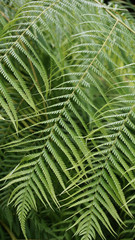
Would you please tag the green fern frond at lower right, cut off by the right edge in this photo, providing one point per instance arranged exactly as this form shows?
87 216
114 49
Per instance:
112 155
